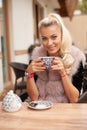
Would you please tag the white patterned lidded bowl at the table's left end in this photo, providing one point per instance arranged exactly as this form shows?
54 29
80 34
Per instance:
11 102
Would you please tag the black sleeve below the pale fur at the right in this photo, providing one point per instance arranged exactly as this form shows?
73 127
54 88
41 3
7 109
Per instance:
78 77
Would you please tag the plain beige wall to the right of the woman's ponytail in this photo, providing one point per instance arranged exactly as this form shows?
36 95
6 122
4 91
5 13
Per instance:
78 30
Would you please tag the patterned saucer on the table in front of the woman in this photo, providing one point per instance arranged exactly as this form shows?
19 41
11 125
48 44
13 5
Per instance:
40 105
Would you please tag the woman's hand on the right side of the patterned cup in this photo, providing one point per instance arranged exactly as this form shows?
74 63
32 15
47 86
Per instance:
58 65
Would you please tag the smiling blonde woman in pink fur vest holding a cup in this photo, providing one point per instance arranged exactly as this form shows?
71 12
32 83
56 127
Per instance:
59 83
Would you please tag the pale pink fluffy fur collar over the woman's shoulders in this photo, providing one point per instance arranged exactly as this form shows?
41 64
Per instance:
75 52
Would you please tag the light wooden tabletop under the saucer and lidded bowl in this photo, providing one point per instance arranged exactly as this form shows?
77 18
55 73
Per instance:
62 116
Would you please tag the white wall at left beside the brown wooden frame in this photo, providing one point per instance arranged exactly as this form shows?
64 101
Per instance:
21 30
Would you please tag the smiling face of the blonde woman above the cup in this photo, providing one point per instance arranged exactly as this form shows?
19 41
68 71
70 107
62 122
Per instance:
51 37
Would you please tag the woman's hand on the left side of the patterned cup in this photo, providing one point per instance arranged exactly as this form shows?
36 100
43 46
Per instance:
35 66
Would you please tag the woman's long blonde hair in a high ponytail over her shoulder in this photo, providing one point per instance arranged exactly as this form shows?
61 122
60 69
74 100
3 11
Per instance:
65 50
